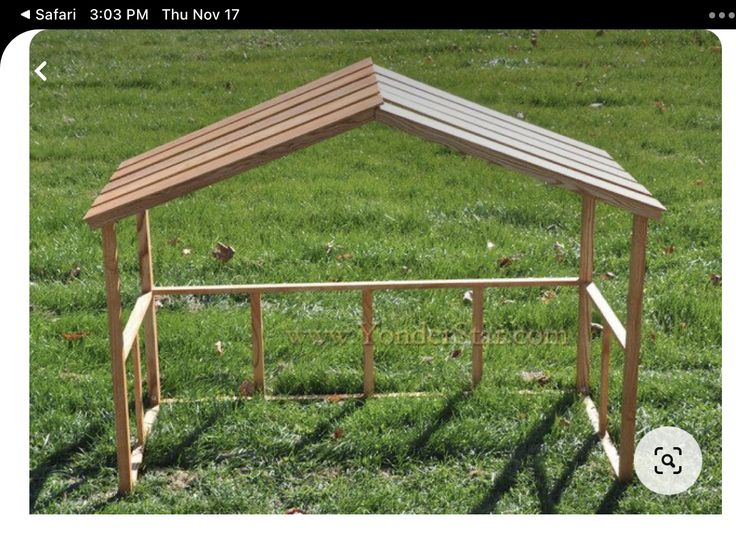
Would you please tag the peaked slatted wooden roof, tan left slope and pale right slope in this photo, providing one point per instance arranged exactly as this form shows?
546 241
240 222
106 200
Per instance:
343 100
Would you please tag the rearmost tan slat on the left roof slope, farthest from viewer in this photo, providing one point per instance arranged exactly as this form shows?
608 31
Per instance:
251 111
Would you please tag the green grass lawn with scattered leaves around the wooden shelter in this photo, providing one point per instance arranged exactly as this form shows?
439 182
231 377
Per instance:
404 208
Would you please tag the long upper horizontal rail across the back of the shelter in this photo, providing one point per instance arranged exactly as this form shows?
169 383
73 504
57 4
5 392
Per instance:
370 285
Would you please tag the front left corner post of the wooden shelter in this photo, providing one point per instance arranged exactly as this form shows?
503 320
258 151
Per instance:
115 331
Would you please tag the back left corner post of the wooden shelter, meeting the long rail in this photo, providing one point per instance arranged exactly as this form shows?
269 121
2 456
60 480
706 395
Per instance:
150 330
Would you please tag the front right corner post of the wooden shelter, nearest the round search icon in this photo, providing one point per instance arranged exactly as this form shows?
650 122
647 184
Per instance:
635 301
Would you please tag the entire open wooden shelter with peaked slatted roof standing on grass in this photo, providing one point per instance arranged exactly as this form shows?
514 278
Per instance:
338 102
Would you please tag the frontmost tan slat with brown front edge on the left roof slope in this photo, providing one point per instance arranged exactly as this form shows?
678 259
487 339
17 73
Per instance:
263 152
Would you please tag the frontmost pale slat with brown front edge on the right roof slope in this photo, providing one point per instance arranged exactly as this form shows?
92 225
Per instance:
494 152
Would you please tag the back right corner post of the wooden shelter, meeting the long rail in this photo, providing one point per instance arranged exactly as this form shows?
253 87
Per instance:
584 307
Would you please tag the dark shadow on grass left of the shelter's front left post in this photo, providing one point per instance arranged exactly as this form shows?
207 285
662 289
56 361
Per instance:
60 459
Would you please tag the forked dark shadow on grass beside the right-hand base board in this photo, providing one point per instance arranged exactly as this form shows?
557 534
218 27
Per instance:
527 450
